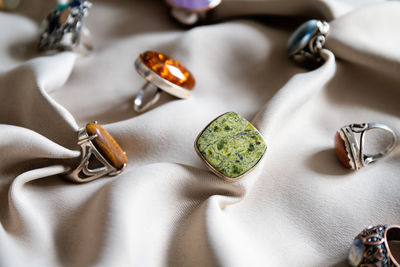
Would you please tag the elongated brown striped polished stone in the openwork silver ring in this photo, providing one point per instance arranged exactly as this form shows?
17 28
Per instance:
107 146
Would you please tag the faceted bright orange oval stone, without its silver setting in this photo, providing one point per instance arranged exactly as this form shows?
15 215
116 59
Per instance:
168 68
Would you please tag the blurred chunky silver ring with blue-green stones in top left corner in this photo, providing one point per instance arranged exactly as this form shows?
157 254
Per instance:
63 29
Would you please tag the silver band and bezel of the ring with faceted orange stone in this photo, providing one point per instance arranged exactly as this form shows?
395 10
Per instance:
153 79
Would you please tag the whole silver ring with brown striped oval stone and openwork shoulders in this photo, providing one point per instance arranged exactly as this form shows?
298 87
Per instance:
101 155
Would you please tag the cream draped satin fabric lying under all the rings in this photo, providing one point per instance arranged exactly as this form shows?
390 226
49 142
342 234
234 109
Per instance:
299 207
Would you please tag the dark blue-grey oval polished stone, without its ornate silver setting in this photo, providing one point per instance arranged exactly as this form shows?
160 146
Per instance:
299 39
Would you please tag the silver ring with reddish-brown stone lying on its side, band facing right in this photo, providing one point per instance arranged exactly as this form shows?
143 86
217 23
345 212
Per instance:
350 140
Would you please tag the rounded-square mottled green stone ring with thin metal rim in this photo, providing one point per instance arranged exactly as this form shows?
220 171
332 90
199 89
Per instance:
231 145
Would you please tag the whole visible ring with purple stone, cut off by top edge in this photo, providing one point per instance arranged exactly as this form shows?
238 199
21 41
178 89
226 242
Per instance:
190 12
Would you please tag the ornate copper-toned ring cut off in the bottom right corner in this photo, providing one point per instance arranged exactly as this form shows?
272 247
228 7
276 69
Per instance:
372 247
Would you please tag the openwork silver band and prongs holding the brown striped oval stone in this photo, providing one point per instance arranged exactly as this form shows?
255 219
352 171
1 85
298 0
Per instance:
83 173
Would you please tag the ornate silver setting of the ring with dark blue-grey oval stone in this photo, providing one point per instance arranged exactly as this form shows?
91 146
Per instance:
310 47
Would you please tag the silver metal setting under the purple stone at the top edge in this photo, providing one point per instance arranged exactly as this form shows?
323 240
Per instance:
190 17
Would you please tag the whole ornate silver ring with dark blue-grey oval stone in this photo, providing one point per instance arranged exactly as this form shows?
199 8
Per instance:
307 41
